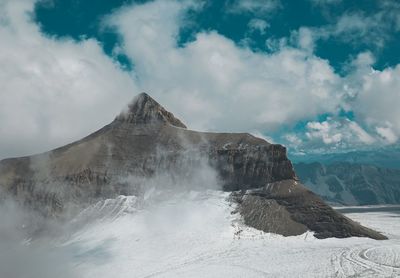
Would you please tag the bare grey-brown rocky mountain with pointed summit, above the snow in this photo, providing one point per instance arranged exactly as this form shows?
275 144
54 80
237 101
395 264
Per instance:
146 141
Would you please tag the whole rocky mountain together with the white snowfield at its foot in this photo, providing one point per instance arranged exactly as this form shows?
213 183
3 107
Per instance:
145 197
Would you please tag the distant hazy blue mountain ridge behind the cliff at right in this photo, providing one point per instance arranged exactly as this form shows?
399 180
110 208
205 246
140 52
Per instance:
351 184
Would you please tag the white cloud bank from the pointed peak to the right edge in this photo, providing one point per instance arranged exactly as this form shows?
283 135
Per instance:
225 86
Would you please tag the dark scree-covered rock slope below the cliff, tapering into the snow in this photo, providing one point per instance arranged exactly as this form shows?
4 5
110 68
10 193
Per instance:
293 210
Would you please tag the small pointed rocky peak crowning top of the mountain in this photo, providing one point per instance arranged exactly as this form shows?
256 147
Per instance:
144 110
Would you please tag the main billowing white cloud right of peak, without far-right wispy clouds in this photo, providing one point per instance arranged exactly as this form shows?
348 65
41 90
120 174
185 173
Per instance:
213 84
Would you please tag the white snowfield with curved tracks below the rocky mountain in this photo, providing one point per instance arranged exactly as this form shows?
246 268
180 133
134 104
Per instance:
198 235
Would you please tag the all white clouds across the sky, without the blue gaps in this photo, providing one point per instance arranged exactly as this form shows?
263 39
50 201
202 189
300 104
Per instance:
55 91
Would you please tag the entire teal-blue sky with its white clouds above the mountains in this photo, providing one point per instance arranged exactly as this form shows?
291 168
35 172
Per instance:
318 76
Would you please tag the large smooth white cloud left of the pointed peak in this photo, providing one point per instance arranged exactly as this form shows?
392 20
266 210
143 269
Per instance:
52 91
